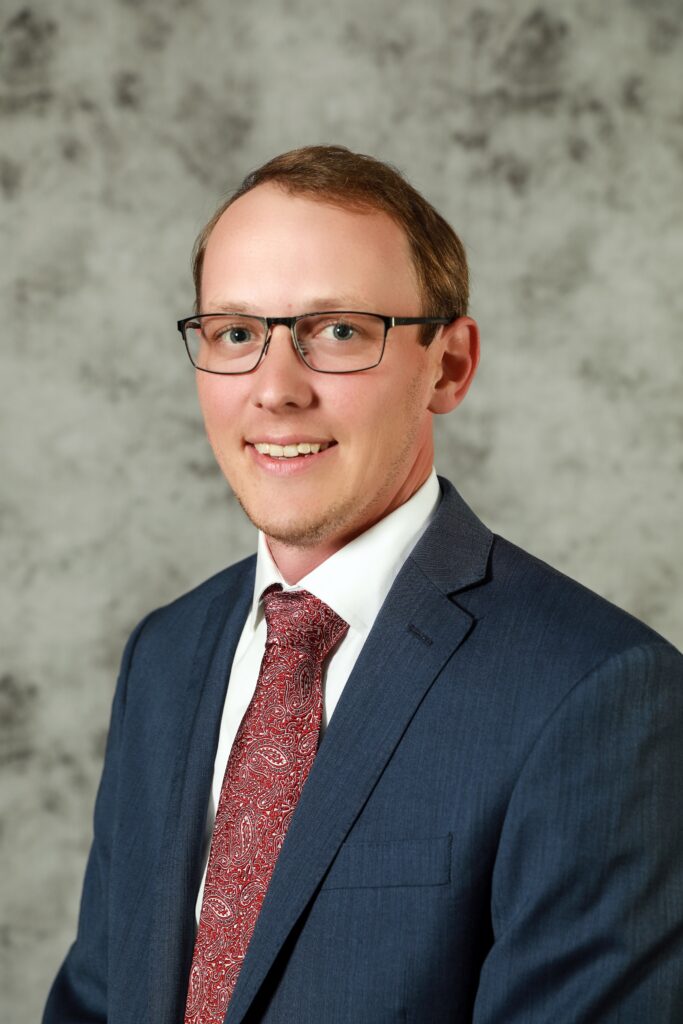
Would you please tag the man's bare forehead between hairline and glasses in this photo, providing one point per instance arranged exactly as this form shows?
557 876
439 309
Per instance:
274 248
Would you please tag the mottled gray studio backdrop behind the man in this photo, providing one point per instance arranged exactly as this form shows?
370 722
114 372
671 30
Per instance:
550 134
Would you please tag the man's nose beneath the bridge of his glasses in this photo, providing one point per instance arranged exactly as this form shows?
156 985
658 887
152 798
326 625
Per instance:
282 379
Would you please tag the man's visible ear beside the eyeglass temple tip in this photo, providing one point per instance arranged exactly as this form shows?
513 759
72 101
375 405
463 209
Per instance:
457 362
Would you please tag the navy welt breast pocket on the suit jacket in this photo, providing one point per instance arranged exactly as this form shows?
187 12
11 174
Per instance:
403 863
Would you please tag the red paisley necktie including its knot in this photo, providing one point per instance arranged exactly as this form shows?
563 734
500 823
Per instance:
271 759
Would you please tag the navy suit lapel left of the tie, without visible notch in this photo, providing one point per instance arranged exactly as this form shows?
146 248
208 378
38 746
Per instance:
173 932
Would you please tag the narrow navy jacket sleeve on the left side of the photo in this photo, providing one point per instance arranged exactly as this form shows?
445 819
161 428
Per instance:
79 994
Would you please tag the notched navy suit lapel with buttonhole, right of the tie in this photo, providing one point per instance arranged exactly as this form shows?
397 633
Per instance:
417 631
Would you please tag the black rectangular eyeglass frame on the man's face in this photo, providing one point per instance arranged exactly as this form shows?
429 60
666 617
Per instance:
291 322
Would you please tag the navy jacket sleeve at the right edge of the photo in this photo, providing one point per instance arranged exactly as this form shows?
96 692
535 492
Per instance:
588 886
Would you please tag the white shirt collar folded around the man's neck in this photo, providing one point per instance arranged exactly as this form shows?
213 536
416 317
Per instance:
375 558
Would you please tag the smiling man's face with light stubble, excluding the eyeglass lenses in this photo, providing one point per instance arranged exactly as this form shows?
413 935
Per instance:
277 255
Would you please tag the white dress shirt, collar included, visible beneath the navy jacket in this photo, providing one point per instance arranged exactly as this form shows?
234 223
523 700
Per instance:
354 583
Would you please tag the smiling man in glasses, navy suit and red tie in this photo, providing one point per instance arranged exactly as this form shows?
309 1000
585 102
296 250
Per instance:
490 830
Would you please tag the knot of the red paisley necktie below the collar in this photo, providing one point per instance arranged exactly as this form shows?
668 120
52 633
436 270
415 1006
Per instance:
300 621
